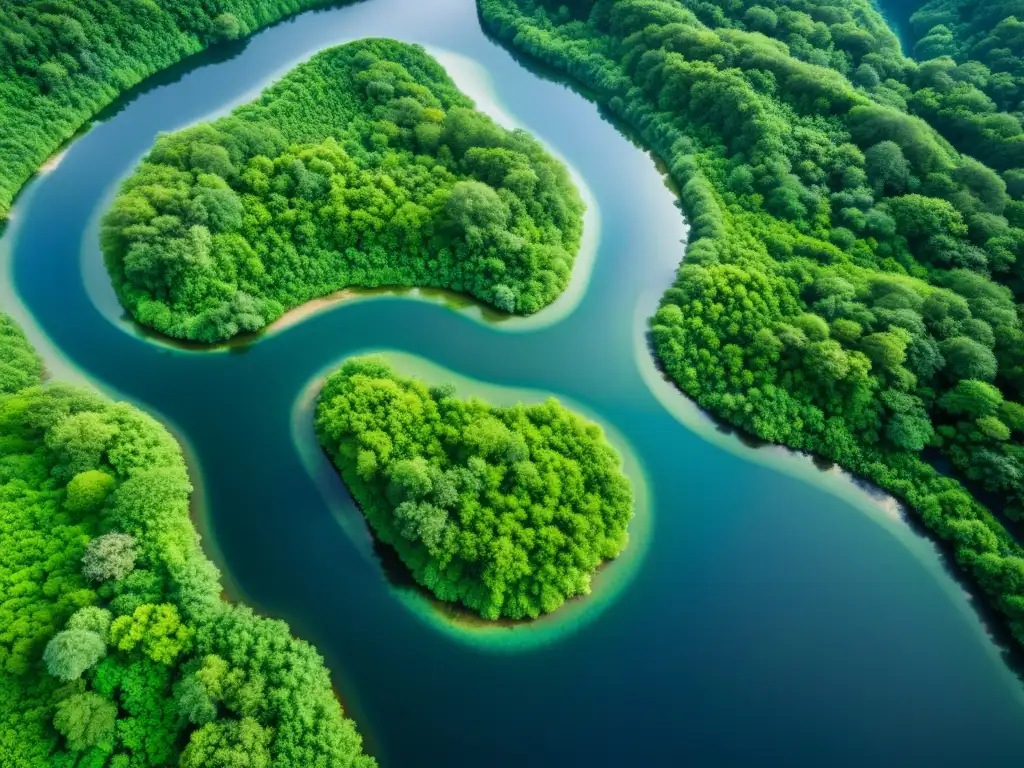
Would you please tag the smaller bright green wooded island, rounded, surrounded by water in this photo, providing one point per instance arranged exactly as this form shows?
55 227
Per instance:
507 510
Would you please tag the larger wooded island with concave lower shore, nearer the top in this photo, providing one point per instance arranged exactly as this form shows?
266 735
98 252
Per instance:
363 167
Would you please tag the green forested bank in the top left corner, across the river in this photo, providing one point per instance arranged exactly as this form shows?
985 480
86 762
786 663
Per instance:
63 61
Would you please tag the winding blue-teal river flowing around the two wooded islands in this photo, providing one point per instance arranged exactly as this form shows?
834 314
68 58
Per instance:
776 615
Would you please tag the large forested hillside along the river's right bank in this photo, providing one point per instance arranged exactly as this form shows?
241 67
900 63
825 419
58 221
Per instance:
851 281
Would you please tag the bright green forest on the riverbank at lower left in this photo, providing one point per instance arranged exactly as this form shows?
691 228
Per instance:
116 649
